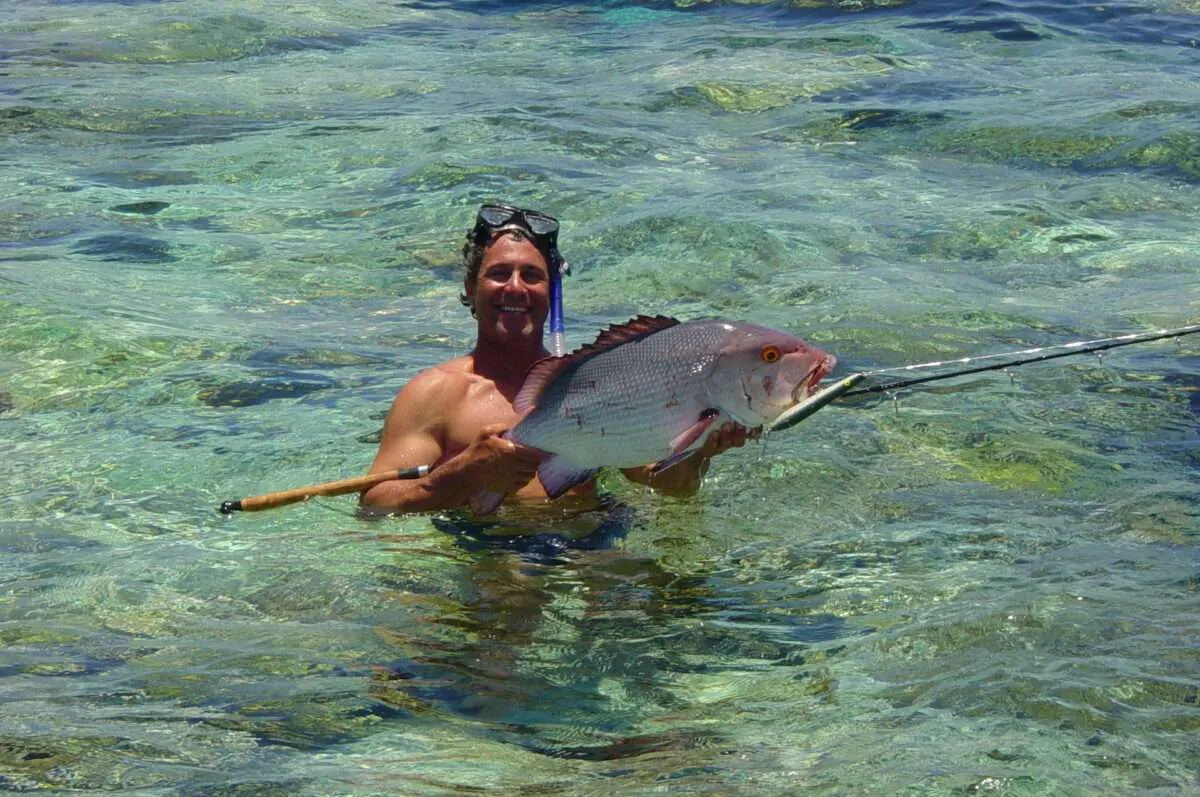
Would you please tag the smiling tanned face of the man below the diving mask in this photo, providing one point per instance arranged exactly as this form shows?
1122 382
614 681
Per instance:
512 293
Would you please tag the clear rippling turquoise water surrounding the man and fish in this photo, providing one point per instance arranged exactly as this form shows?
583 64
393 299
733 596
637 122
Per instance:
229 235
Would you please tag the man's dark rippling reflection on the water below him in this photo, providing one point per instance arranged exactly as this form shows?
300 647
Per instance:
556 640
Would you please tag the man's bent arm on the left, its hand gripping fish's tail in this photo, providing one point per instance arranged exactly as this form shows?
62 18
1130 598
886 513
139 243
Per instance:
415 434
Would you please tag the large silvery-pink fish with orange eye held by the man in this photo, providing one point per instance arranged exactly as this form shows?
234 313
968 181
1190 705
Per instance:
651 391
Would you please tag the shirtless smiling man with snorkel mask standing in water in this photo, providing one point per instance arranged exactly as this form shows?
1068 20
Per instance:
453 416
